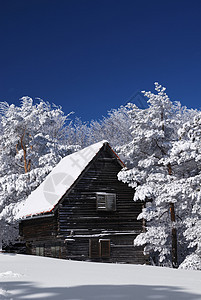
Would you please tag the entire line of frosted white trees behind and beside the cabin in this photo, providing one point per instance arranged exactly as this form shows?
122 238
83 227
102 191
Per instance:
160 145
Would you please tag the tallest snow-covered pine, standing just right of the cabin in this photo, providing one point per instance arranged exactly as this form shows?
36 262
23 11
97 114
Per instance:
154 130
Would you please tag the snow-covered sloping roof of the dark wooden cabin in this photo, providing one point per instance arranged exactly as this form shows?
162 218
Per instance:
58 181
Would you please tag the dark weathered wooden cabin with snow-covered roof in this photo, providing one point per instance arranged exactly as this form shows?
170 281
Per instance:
82 212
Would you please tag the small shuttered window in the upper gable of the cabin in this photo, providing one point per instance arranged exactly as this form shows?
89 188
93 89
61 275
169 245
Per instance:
106 201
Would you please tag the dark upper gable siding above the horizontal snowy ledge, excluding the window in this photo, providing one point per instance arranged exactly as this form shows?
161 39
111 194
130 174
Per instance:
80 203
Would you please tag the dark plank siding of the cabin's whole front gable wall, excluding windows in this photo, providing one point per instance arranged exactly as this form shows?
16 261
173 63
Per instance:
80 220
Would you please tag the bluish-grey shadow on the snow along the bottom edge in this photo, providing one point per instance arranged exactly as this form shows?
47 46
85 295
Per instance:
27 290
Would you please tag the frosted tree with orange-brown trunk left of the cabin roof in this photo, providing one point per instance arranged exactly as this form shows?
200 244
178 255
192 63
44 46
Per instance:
33 139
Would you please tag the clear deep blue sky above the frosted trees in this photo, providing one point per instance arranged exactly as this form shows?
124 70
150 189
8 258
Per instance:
92 55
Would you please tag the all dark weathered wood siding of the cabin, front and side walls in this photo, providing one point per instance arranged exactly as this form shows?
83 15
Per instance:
77 220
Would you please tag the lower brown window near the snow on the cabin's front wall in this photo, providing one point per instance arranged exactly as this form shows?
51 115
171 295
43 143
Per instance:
99 248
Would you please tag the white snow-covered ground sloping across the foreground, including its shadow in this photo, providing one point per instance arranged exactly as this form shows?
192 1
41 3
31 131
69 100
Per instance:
32 277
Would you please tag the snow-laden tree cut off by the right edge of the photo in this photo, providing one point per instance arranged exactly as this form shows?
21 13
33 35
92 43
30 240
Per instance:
185 156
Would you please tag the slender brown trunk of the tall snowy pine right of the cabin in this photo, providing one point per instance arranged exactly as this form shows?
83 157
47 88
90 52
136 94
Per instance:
174 230
